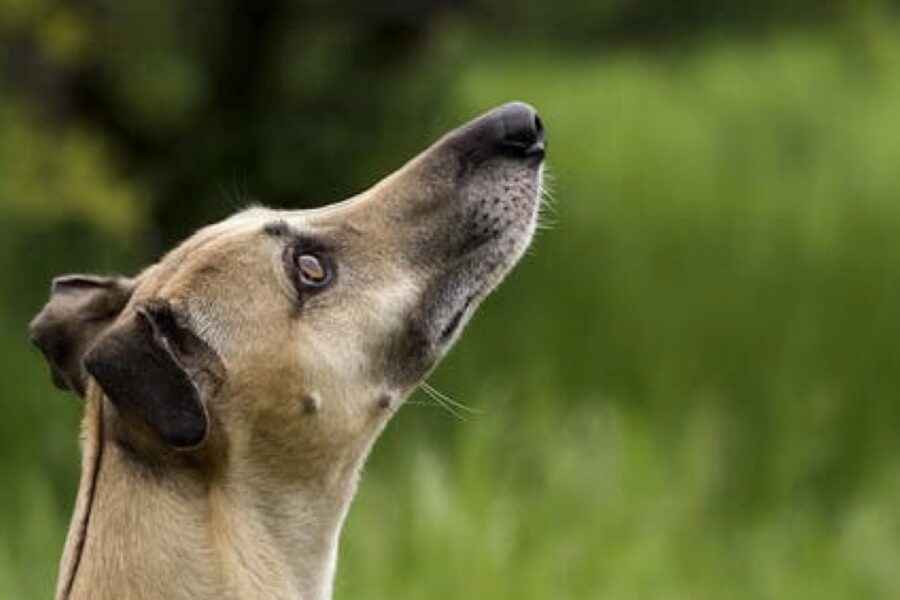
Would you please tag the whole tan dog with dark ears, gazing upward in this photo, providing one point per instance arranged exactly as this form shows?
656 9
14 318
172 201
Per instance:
233 390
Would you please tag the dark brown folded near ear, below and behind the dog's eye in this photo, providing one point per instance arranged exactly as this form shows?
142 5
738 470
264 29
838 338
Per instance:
143 368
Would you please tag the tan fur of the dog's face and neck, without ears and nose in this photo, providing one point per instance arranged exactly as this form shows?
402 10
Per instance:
255 511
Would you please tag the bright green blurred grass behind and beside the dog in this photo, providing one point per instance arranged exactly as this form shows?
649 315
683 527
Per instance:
689 389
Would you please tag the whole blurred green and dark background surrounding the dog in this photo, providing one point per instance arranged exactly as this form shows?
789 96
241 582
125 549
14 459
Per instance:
690 389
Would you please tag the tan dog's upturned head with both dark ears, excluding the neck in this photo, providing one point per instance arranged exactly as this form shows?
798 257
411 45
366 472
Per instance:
299 332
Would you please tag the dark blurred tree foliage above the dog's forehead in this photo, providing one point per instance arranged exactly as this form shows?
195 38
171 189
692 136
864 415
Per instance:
212 104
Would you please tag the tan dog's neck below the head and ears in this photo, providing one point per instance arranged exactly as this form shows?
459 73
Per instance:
240 532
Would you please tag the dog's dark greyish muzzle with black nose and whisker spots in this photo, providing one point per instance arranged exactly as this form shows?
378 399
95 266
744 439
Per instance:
485 184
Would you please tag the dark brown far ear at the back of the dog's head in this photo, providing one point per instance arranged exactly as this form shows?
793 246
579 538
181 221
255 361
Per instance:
80 308
